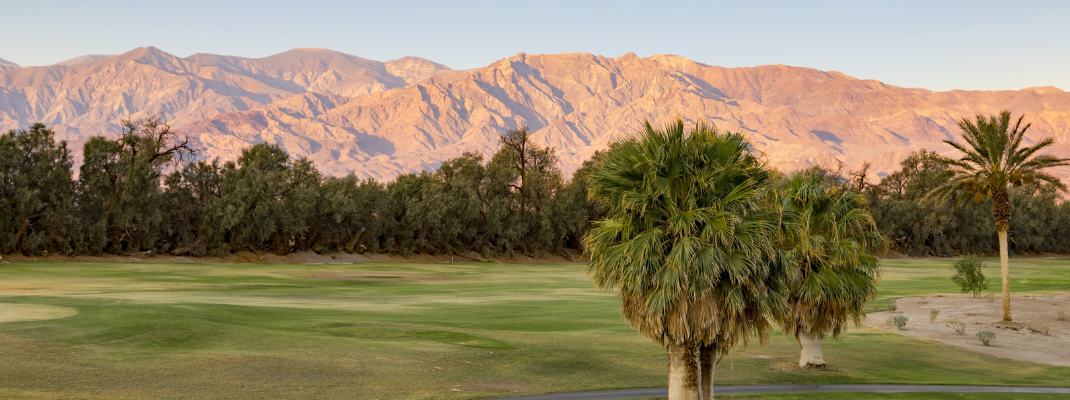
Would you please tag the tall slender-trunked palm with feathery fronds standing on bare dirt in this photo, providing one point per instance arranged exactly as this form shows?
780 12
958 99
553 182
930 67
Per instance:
995 160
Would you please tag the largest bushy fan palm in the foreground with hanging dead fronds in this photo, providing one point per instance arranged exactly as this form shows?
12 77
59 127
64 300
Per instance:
686 244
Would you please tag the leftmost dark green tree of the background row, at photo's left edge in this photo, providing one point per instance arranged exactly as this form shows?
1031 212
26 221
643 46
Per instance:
37 195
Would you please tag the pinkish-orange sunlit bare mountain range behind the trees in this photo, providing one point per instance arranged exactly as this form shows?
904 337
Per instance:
380 119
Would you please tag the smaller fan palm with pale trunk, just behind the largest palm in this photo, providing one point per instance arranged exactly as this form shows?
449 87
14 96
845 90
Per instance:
828 238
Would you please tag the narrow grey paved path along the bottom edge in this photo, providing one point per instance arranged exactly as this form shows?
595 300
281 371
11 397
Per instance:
645 393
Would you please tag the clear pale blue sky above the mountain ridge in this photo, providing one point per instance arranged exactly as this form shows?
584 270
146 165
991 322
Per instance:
928 44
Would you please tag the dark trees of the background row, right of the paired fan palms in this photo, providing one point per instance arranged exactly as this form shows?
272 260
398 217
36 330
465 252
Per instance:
915 225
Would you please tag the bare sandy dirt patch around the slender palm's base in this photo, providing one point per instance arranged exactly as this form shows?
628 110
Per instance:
1040 335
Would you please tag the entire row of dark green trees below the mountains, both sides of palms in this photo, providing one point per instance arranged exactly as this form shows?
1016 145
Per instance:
145 192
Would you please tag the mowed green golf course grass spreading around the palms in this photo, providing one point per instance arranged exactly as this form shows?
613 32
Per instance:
406 331
